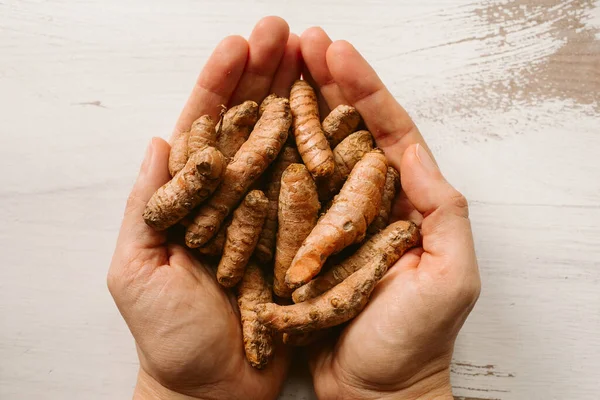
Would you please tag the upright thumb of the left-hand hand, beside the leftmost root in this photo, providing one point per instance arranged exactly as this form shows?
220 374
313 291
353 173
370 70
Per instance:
154 173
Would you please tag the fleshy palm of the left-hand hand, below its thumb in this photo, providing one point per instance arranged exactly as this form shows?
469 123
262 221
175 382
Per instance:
187 329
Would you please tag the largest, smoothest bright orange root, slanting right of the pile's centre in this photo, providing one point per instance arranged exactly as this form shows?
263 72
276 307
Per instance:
346 222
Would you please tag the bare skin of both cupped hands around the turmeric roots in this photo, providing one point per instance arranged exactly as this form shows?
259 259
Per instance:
399 347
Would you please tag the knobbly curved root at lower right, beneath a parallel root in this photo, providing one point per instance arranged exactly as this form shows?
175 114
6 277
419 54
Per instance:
338 305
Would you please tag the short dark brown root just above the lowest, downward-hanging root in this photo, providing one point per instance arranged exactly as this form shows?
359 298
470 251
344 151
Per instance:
241 237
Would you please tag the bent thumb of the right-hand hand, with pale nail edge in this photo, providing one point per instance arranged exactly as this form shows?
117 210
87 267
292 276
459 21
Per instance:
446 228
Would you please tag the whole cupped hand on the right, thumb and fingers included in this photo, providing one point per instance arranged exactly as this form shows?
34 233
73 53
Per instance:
401 345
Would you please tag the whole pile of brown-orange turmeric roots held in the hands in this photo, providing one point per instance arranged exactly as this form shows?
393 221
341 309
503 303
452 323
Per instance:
292 207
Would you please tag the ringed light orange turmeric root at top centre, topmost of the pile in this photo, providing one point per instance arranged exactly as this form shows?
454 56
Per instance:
310 139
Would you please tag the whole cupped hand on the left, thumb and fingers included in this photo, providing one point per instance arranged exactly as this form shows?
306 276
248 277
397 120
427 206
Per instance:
185 325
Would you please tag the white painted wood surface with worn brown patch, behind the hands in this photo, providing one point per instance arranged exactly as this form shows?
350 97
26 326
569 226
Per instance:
506 92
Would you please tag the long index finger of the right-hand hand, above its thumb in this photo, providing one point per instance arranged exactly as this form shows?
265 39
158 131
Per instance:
389 123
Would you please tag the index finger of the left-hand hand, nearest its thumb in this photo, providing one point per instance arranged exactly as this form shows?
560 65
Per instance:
216 83
